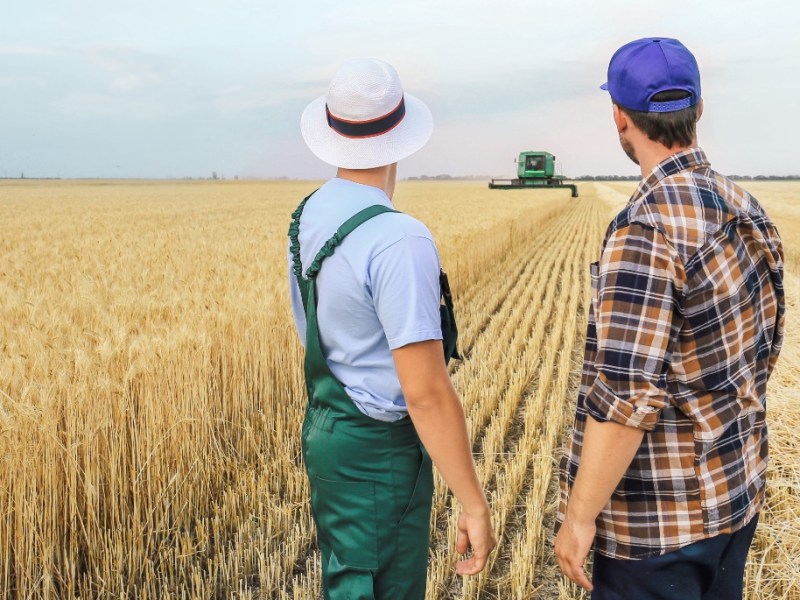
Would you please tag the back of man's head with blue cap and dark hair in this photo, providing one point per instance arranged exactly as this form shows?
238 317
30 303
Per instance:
656 81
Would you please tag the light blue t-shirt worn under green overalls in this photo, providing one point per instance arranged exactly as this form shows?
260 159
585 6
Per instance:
379 291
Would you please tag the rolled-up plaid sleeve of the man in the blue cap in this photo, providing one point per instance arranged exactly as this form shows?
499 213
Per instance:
635 322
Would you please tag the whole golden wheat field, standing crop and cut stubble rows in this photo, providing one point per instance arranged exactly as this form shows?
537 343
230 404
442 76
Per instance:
151 391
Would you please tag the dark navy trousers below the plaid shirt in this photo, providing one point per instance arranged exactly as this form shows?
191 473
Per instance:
710 569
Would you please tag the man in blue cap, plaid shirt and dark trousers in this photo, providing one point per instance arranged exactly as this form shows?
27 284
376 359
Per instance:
665 473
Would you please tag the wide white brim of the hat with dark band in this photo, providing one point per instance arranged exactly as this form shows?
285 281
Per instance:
408 136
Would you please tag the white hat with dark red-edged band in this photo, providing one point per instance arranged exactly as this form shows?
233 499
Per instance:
365 120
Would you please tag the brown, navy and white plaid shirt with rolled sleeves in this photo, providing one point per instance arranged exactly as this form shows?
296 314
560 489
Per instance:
685 326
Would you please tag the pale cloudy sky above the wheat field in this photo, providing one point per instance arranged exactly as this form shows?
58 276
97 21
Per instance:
172 88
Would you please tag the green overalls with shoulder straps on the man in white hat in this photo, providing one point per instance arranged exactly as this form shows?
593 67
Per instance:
371 481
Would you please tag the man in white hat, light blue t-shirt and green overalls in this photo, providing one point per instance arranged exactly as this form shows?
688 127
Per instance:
366 289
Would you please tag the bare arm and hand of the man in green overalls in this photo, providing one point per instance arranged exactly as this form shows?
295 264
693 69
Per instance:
438 417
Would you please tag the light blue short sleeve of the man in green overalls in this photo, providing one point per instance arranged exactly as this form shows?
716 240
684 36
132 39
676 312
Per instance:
404 283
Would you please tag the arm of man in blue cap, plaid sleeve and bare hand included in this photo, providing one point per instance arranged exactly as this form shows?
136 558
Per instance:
634 315
